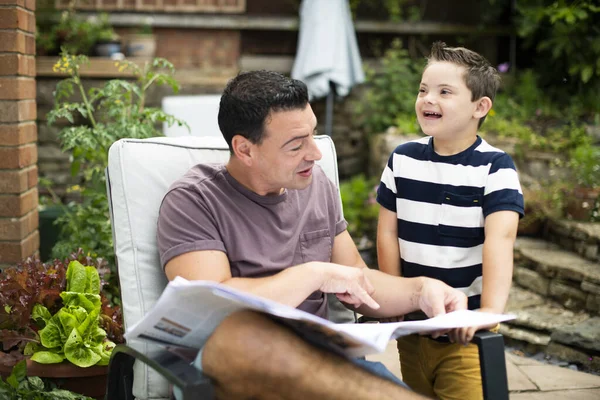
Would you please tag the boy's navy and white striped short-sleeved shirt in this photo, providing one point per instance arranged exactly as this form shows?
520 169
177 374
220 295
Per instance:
441 203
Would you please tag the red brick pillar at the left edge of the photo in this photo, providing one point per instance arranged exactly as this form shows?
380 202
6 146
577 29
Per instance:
19 236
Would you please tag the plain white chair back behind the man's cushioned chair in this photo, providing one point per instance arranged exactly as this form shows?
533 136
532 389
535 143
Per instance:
199 112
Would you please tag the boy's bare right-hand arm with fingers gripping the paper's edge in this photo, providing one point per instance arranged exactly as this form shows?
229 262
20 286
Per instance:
500 234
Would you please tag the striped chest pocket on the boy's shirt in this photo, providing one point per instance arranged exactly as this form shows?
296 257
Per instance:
461 215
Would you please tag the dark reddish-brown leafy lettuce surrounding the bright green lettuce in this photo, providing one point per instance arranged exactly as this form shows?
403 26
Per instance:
33 284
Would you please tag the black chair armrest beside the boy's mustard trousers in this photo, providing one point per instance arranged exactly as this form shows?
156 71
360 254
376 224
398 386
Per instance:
493 365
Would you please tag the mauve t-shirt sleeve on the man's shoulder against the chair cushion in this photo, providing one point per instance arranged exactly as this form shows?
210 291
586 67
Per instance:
185 224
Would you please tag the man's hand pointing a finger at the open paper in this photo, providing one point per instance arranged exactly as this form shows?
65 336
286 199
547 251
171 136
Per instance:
349 284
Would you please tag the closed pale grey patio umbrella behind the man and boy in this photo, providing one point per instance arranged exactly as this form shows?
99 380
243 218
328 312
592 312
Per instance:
327 59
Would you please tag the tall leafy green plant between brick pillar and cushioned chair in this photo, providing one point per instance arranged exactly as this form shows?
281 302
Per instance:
98 118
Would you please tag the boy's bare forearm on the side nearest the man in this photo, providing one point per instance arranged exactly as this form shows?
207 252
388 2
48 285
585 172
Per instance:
388 248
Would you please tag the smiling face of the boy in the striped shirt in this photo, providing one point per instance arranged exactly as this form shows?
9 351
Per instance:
444 107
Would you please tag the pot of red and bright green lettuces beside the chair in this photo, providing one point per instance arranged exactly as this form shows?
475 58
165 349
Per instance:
55 317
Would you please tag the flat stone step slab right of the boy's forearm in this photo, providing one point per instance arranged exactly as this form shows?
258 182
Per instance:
554 262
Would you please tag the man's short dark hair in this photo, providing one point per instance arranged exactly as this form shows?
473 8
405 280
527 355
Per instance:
249 98
